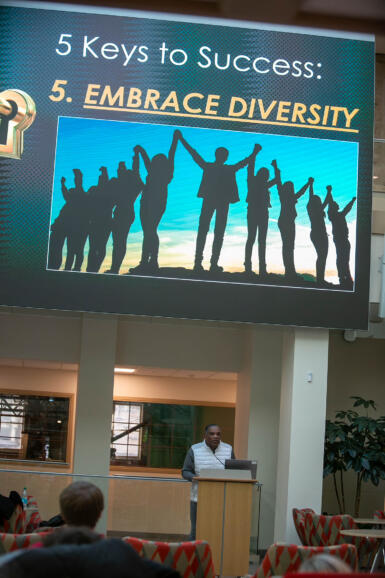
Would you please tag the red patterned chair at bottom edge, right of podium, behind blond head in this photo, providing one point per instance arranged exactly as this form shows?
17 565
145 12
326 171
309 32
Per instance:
283 558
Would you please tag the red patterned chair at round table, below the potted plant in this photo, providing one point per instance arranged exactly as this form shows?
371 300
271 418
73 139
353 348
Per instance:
326 531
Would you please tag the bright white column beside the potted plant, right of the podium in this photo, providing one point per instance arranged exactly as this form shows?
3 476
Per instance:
302 427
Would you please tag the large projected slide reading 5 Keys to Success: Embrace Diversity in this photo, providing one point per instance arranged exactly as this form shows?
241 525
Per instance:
183 167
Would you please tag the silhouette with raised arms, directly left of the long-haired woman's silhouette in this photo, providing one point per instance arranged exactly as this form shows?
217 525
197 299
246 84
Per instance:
126 189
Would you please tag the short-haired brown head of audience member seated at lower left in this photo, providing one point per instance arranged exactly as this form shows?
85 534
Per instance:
81 504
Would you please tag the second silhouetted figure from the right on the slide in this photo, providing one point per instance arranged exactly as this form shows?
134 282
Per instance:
318 234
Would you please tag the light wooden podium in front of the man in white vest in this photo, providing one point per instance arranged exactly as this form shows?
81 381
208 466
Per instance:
224 520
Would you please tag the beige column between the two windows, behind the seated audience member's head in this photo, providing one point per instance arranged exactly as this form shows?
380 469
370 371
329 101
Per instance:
94 402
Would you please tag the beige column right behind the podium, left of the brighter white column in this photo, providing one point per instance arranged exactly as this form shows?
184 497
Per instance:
257 416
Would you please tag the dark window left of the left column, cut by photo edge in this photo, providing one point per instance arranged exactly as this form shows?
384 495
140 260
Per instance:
33 427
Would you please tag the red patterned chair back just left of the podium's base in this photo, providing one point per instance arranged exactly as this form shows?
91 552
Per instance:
190 559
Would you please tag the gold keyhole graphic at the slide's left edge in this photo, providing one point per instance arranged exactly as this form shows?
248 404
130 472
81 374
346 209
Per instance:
17 113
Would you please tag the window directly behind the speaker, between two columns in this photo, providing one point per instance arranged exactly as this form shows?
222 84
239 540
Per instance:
158 435
